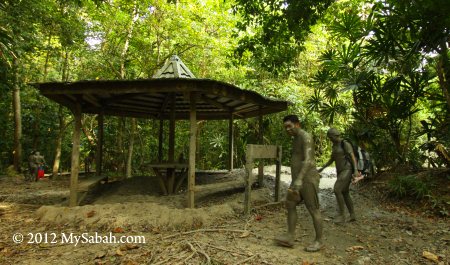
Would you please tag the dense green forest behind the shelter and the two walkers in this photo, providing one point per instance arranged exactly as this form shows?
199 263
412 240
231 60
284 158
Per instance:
378 70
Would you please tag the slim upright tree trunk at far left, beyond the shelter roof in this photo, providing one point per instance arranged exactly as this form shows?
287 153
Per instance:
17 120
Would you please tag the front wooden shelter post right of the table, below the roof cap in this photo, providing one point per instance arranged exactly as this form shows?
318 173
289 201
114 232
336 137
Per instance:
192 146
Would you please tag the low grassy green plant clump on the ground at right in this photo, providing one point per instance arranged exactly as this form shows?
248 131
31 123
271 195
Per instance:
409 186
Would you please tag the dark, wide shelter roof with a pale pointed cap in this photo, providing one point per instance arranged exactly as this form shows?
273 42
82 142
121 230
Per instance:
152 98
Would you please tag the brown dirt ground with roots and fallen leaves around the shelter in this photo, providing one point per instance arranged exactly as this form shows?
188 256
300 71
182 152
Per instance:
215 232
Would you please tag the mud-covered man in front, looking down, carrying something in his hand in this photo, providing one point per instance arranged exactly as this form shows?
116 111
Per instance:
304 186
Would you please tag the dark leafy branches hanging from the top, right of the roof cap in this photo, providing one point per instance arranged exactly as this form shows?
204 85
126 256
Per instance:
273 32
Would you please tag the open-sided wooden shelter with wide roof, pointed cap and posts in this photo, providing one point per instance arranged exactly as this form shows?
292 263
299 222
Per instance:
172 94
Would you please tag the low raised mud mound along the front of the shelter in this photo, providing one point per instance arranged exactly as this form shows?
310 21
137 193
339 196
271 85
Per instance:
133 216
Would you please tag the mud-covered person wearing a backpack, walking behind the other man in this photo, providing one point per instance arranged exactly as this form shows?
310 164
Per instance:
346 169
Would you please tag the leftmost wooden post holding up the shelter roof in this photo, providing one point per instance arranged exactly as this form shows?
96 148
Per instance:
73 201
